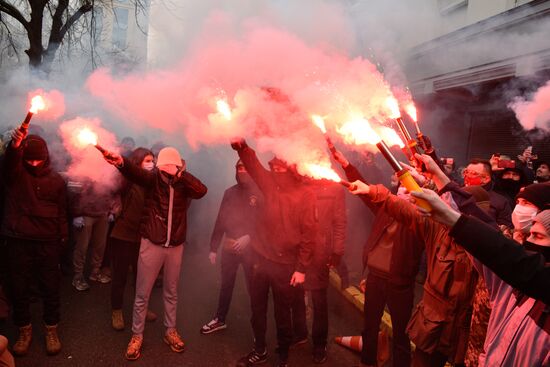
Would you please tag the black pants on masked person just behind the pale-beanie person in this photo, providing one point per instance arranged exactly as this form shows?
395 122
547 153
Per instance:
124 254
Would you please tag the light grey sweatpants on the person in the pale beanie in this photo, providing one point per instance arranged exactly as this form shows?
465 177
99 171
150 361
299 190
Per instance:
151 259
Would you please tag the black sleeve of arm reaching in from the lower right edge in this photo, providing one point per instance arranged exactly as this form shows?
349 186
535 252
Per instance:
523 270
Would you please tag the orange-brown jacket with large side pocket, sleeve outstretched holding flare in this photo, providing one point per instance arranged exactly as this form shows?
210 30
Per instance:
441 320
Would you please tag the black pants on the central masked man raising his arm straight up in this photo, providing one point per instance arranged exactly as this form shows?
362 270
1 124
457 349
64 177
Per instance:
268 274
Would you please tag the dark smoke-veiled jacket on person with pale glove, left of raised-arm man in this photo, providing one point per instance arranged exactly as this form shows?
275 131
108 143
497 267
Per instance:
237 215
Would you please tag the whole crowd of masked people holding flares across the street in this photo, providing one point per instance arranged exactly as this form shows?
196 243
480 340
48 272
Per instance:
485 247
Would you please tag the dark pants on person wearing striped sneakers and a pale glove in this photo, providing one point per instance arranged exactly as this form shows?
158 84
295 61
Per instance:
230 265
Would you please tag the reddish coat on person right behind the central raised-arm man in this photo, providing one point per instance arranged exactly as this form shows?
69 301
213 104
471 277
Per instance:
331 237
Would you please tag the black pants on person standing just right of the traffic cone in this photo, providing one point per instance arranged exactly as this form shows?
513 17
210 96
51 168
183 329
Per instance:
399 299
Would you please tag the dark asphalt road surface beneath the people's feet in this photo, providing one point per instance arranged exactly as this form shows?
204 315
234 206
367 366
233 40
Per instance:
89 340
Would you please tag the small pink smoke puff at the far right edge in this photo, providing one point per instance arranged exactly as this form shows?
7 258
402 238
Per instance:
534 112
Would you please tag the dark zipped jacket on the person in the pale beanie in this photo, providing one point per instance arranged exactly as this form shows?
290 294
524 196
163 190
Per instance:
154 222
